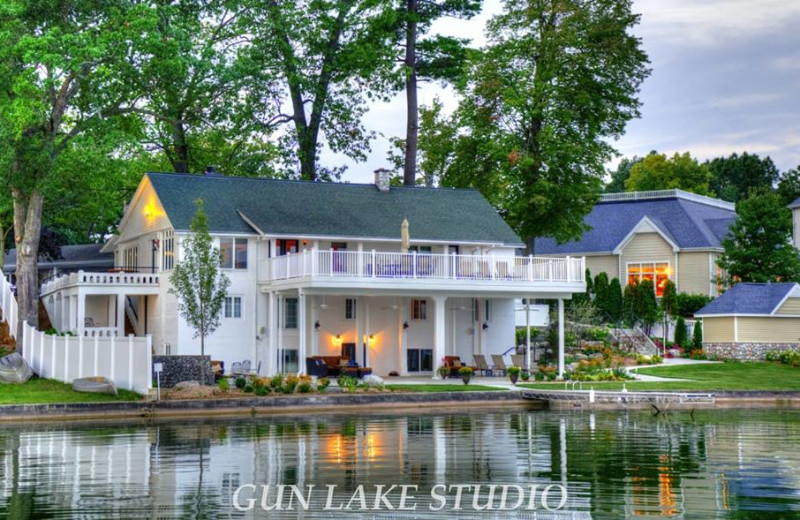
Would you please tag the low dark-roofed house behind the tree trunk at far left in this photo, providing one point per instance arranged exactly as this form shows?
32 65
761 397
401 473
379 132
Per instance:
74 258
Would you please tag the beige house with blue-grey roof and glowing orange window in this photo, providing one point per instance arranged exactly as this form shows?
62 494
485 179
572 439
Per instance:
659 235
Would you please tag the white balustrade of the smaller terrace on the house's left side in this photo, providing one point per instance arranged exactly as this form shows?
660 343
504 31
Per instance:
126 281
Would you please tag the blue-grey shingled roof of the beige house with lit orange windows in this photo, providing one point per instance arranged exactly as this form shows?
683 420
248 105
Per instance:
688 223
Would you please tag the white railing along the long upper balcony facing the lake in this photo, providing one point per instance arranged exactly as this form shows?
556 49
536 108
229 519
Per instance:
372 264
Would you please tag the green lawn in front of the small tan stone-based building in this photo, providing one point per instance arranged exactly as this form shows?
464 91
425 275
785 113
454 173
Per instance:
720 377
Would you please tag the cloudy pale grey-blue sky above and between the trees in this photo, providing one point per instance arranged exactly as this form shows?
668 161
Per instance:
726 78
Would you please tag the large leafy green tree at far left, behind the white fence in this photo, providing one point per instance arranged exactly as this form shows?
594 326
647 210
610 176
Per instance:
60 77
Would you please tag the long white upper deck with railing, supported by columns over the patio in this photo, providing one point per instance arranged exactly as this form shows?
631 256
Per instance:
422 270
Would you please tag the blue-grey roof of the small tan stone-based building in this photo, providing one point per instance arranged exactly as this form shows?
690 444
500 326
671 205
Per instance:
748 298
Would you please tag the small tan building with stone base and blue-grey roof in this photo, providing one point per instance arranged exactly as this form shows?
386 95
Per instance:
750 319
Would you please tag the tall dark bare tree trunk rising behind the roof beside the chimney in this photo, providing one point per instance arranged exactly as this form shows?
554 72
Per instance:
412 109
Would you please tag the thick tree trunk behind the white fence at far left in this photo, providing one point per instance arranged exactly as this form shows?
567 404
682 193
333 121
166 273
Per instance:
27 230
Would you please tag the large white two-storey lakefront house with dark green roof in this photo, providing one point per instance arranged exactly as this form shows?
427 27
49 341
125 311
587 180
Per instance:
317 269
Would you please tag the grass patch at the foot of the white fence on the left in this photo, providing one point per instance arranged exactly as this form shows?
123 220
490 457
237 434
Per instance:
38 391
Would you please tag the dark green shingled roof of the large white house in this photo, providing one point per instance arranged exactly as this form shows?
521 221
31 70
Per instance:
331 209
